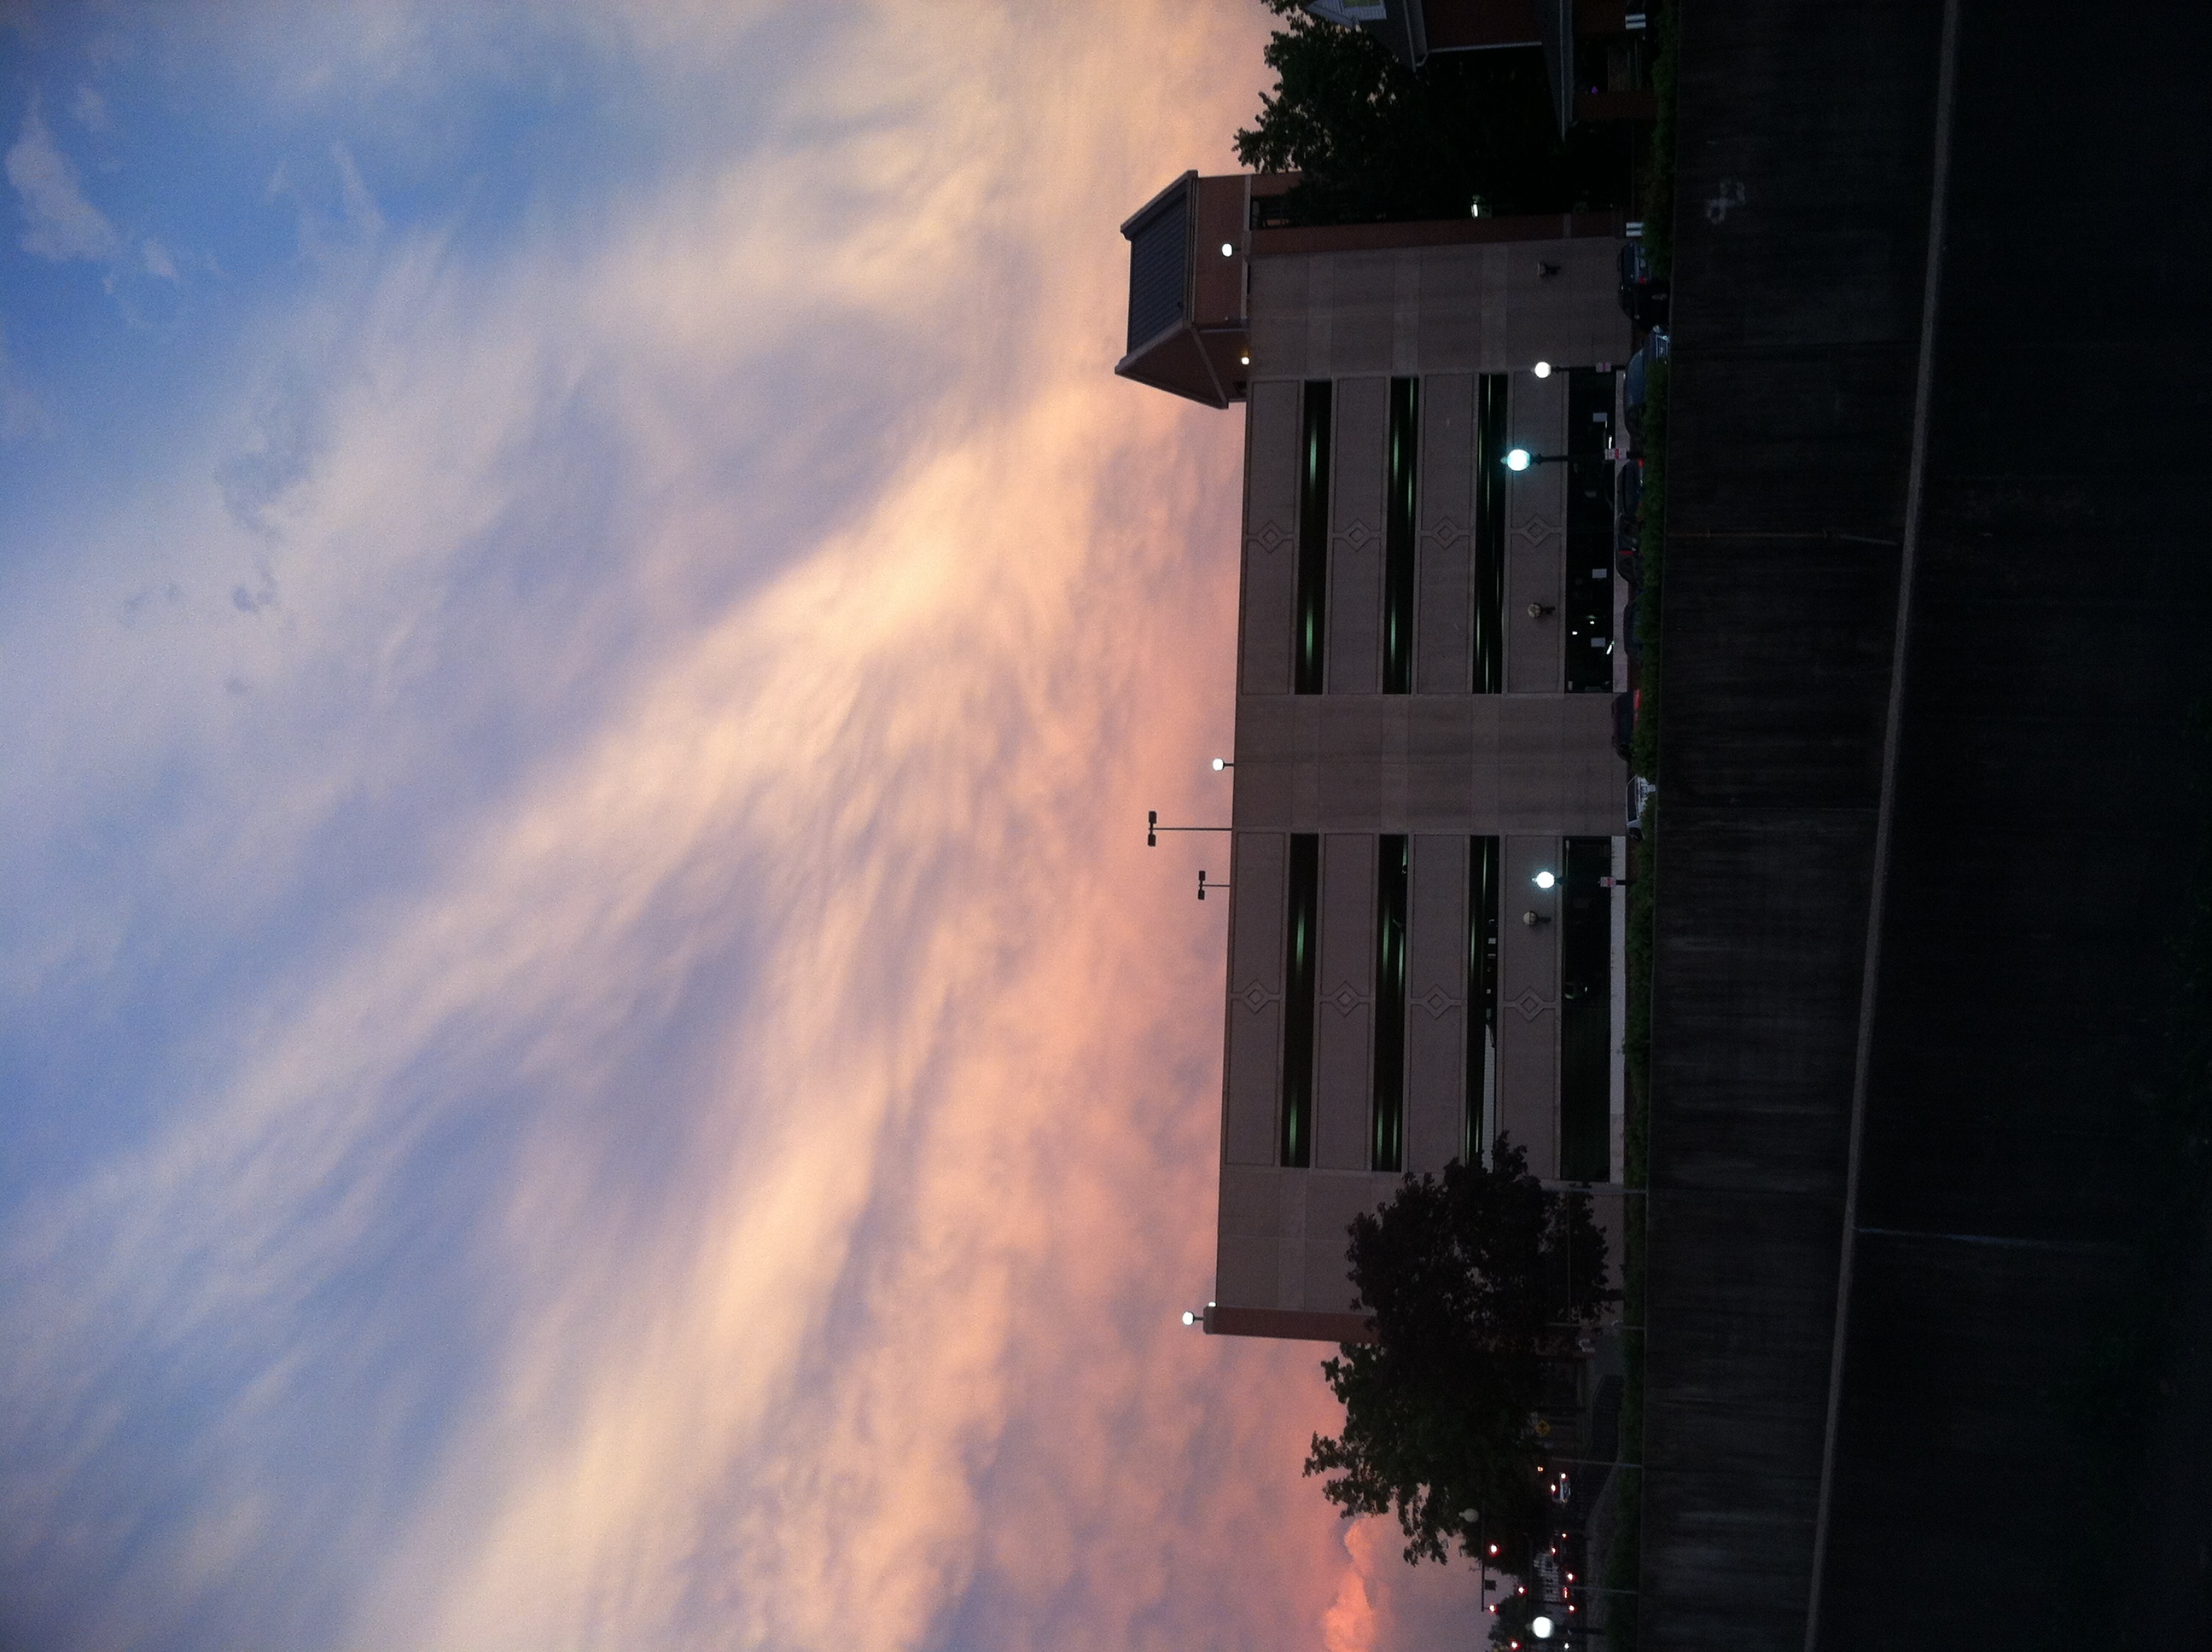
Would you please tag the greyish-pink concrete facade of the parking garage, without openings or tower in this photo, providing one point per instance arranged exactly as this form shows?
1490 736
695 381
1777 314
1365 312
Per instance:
1441 764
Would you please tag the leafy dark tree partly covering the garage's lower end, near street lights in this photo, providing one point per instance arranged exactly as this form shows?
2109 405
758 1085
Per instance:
1472 1284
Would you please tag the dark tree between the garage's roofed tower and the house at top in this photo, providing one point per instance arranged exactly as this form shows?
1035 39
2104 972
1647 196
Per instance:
1377 140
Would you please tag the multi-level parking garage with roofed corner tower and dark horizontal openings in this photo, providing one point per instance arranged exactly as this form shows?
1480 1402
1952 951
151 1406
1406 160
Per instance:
1426 791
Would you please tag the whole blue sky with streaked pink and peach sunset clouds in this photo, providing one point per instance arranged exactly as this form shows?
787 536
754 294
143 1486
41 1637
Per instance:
592 1054
